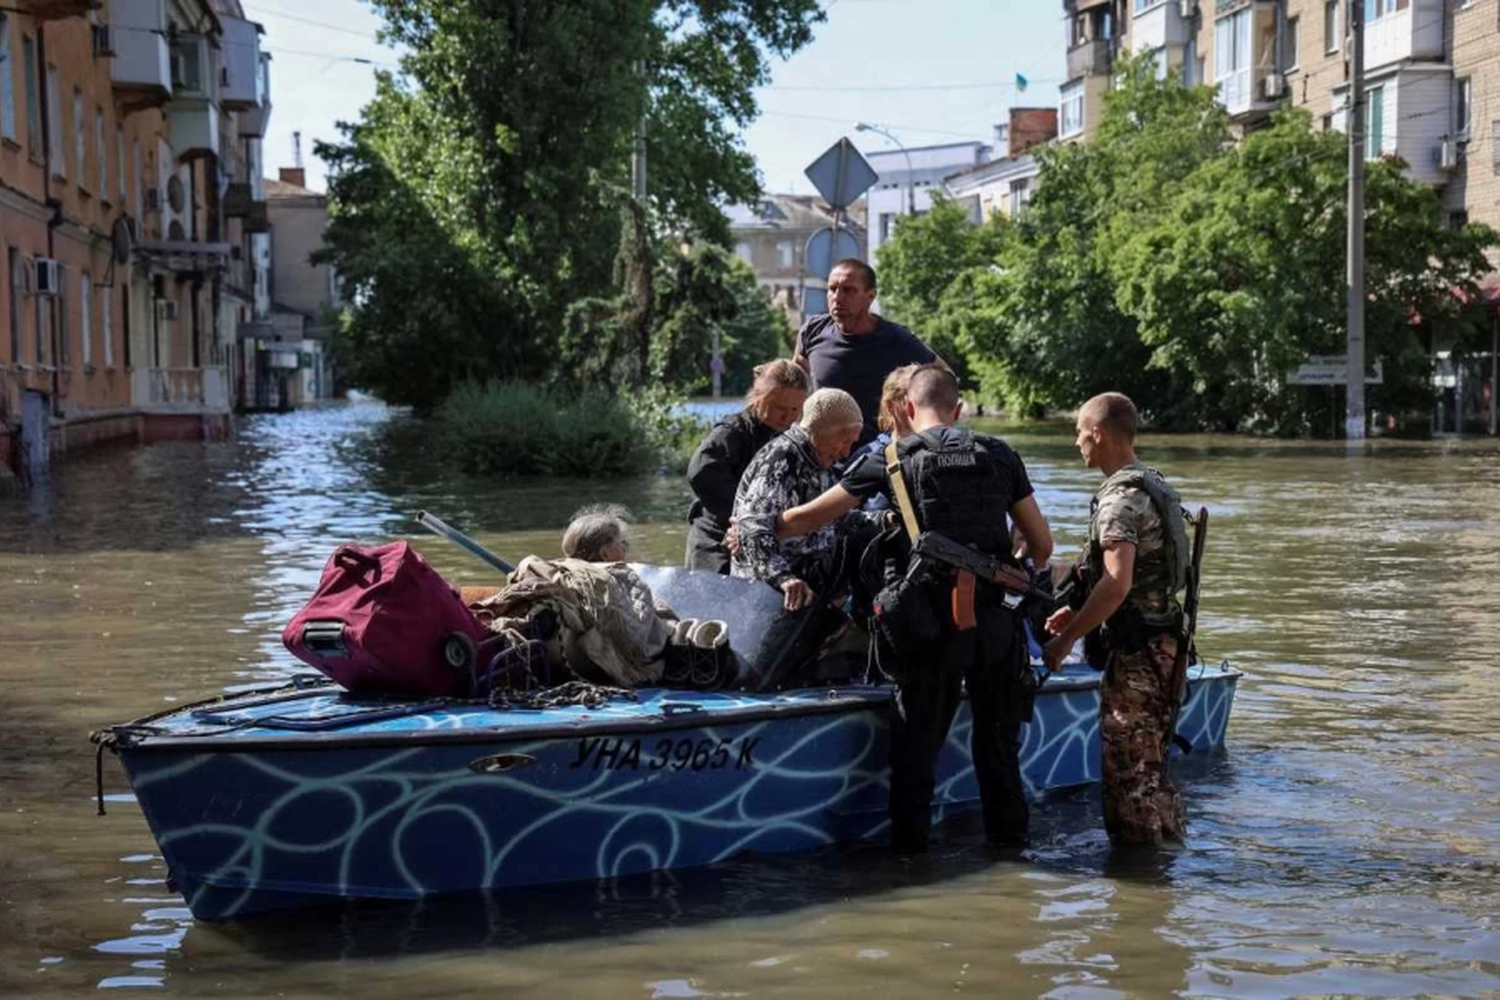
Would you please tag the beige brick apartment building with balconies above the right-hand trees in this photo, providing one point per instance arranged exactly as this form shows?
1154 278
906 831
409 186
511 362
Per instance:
1432 76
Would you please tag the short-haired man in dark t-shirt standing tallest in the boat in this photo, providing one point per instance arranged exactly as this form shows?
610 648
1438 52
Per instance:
853 349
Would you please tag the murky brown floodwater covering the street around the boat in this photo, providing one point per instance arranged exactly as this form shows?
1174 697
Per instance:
1346 843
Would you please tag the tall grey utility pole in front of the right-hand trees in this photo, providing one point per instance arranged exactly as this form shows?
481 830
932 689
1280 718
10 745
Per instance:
1355 389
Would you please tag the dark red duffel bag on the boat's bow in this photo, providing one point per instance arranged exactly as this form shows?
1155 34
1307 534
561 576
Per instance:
385 623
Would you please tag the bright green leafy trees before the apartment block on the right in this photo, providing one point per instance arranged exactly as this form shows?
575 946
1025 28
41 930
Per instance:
1190 271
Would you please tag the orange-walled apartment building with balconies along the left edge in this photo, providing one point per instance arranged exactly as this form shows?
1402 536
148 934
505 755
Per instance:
130 209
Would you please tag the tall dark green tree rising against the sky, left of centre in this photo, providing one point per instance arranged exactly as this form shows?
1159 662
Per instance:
482 193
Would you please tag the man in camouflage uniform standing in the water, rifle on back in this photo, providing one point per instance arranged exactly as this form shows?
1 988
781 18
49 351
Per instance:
1136 564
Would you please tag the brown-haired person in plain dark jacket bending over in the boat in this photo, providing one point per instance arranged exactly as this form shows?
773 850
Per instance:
773 406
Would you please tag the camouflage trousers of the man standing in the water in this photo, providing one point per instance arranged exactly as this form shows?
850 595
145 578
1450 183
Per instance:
1136 707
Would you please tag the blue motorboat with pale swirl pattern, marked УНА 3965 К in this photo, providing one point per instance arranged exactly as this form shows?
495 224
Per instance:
269 800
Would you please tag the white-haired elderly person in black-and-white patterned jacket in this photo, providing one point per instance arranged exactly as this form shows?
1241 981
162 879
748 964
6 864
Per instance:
787 473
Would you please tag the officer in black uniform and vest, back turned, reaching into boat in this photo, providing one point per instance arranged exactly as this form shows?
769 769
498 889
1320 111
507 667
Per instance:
964 487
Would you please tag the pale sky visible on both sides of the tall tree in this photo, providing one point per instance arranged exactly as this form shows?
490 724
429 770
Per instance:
928 71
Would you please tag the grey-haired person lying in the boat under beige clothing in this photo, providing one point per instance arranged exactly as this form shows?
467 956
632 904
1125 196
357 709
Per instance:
611 627
